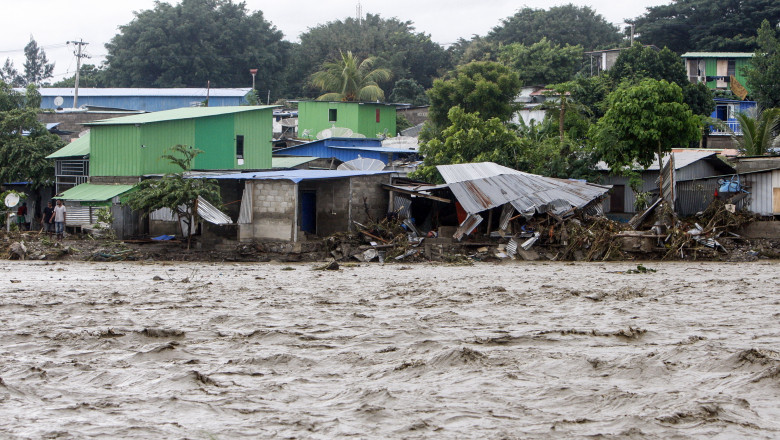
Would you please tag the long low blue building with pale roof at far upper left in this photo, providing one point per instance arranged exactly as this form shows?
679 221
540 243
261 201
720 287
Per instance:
149 100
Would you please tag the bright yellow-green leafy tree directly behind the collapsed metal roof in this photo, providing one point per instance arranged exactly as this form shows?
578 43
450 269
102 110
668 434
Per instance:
468 138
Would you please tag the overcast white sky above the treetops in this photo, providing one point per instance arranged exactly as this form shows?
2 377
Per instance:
54 22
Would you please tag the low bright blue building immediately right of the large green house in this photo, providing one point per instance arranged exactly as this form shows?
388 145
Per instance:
346 149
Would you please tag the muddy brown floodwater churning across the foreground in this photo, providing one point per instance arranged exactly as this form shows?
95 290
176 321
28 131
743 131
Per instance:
518 350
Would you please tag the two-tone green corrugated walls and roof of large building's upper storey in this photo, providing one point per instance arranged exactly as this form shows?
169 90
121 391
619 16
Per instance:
230 137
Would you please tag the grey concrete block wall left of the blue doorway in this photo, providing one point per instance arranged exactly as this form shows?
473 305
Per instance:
274 204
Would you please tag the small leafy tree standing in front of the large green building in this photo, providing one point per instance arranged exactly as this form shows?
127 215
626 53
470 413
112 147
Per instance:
174 191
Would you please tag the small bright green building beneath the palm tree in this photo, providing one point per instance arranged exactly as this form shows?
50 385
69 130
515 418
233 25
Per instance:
367 118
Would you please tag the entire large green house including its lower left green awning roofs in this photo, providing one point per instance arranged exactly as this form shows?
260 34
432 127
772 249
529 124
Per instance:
101 167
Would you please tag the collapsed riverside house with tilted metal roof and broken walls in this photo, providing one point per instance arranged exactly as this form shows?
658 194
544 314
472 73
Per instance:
474 192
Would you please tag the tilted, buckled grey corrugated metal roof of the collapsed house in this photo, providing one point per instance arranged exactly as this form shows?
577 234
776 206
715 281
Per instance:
481 186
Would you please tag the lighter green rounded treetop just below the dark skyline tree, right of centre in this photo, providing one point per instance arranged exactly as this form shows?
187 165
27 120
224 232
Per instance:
543 62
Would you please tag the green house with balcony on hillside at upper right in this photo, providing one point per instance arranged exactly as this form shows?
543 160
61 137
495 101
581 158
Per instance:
715 68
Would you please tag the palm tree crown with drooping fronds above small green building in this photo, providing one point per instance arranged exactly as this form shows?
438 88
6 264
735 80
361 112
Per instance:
350 79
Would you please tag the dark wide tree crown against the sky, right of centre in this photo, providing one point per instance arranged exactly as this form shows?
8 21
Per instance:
566 24
